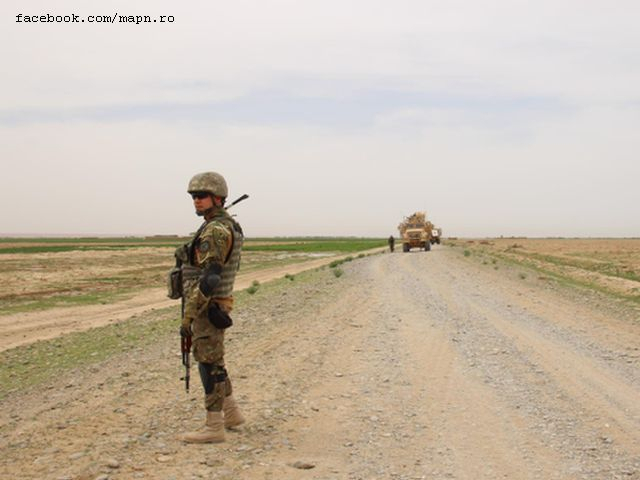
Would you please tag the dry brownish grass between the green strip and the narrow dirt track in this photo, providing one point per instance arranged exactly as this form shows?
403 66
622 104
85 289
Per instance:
36 281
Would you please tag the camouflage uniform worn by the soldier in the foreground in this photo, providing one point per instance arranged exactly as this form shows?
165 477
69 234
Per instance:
217 242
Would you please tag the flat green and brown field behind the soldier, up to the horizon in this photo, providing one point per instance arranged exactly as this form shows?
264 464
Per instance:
42 273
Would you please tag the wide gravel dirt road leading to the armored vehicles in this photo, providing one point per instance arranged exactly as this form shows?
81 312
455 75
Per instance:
408 366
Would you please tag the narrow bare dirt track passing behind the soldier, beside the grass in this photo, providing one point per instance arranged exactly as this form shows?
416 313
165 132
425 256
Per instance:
25 328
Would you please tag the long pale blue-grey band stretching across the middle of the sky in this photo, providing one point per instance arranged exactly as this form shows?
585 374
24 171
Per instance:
382 108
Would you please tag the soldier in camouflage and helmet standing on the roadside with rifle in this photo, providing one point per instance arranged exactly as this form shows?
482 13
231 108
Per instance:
210 262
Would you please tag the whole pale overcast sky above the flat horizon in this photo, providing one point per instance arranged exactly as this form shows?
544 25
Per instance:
337 117
